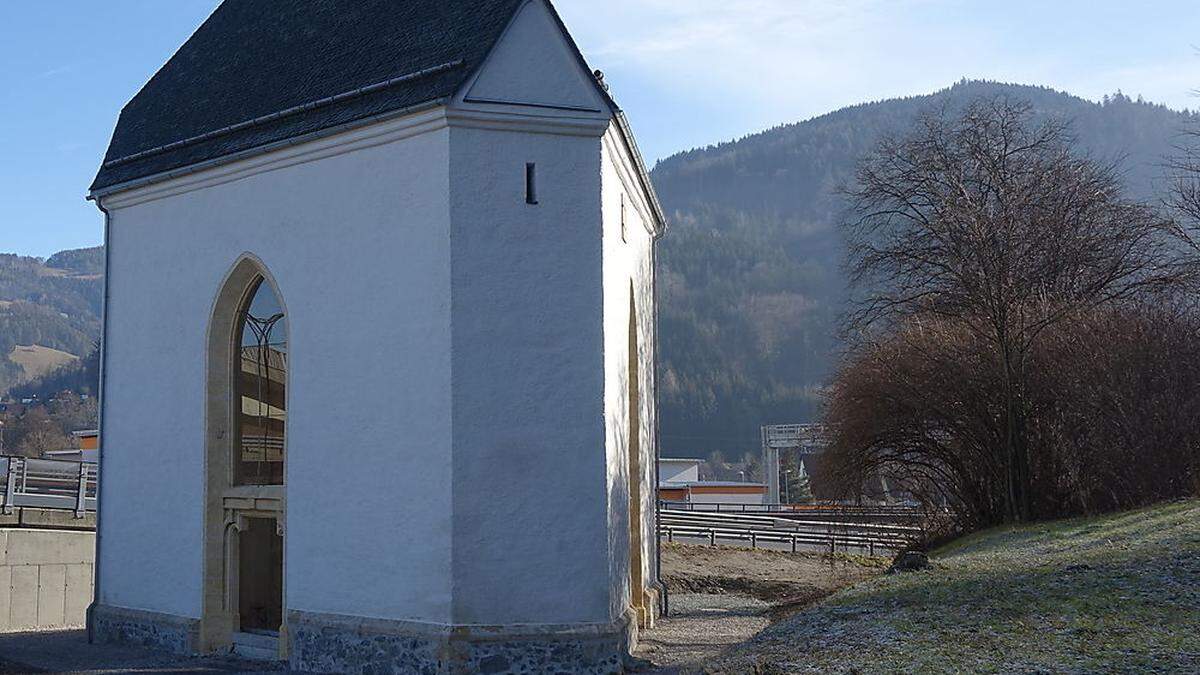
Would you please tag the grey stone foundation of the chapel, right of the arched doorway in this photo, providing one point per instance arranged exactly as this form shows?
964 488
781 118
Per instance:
325 643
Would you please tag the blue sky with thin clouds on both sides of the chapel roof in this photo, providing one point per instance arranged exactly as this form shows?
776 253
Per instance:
689 73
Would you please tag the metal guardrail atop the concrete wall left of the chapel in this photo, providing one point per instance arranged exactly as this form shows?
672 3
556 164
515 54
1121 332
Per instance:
46 483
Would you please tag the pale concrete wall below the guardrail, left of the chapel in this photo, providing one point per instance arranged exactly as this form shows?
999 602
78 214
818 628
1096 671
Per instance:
45 578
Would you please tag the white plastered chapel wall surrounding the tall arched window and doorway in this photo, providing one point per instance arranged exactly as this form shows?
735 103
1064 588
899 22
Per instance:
355 231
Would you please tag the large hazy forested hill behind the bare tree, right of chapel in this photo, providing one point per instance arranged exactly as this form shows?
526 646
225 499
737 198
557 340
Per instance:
752 282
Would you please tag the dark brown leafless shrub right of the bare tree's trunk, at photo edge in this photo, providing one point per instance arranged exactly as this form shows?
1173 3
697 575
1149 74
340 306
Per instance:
1117 410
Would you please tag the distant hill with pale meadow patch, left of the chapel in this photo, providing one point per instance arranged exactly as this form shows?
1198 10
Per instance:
50 313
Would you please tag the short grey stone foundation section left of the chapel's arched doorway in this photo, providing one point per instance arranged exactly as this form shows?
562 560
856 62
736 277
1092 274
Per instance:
136 628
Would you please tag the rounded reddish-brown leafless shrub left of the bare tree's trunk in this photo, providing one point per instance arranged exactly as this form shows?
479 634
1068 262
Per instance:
920 410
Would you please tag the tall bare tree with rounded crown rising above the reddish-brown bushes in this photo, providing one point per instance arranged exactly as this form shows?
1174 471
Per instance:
991 222
